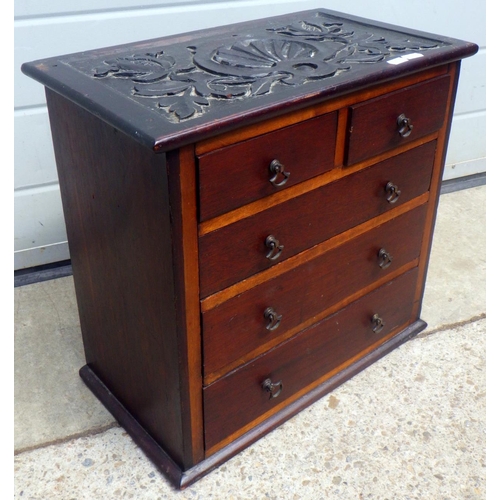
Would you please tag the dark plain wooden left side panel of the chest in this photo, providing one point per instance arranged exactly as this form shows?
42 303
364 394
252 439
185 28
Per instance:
124 284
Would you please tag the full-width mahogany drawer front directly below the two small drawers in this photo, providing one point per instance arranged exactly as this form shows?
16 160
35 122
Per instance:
239 250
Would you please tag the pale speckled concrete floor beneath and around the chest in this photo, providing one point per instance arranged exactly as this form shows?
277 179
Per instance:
410 426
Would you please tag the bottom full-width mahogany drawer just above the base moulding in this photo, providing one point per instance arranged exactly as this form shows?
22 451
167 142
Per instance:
236 400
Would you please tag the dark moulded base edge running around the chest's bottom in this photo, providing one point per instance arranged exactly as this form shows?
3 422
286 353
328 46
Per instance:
183 478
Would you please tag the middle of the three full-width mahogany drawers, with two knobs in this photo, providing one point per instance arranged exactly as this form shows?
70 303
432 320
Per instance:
245 322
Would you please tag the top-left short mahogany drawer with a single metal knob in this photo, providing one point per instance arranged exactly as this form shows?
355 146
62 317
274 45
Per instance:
241 173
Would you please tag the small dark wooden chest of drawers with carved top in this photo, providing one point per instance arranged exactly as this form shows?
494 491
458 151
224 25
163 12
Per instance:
249 211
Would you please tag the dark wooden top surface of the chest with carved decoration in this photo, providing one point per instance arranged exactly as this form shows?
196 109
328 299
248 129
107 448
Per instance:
242 68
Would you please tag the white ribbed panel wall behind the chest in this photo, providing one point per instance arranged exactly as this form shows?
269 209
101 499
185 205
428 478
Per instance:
55 27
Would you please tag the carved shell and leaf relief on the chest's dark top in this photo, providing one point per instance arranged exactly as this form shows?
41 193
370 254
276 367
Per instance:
187 83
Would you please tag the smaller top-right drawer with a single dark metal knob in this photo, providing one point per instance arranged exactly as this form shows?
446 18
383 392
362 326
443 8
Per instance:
373 125
